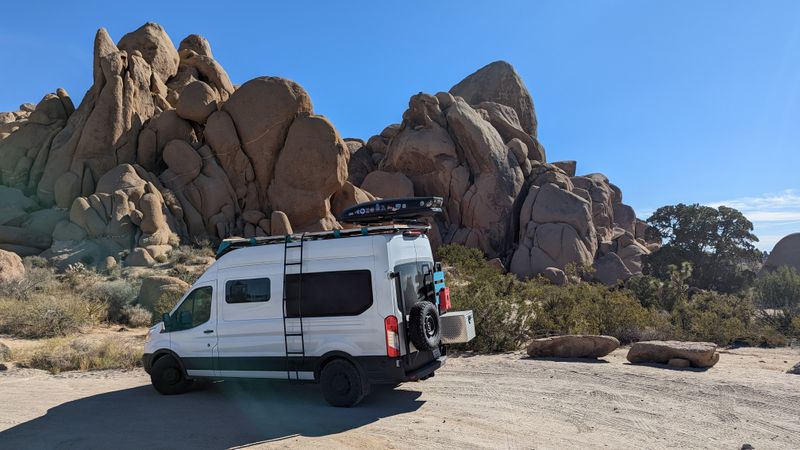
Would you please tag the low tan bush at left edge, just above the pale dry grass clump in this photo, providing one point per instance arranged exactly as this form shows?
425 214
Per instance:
44 315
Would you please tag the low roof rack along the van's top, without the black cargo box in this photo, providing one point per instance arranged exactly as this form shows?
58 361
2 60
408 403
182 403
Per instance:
228 245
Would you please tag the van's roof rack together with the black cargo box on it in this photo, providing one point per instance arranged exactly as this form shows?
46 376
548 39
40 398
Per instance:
403 215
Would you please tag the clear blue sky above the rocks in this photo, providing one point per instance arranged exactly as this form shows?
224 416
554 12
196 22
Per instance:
679 101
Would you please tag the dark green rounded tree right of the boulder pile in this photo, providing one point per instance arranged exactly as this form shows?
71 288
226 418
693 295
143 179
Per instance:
718 242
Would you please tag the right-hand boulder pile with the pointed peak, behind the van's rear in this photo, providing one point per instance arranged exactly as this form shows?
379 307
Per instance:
480 153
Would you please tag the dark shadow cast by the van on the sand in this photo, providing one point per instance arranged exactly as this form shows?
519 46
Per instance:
221 415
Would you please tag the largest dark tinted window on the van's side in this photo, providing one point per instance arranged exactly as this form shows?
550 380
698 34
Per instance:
342 293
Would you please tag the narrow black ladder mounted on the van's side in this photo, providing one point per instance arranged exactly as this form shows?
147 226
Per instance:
295 359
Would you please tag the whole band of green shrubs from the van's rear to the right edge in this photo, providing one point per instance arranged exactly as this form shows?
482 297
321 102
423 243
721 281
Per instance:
509 312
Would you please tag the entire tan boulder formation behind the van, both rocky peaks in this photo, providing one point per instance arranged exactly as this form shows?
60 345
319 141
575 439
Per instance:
165 148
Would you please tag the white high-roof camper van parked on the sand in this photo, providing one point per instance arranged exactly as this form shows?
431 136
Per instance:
345 308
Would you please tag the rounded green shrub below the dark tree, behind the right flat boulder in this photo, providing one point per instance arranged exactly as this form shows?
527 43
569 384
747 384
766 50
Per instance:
714 317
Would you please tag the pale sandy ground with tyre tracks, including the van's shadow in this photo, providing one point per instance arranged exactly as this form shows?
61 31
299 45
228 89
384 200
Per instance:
500 401
